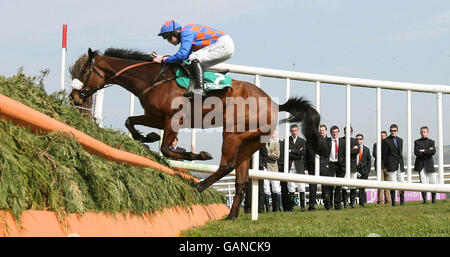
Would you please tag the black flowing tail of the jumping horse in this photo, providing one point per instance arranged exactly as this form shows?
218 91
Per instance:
301 110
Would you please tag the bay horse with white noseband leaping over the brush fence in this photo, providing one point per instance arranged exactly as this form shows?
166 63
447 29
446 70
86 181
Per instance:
156 89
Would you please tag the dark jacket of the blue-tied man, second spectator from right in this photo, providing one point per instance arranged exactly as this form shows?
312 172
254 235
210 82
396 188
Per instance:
392 156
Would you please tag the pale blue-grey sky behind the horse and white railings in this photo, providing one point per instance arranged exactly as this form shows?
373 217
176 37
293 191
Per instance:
405 41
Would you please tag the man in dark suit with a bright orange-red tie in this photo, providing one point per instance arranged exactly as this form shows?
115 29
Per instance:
363 166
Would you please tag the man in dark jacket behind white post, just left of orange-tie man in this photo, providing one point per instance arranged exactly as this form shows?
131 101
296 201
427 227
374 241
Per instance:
354 149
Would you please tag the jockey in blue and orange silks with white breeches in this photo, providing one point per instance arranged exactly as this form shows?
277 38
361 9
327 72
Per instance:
203 46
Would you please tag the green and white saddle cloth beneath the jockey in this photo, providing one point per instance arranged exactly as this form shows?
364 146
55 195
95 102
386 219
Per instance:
212 80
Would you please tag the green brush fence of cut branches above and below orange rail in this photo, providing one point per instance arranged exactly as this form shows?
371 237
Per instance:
51 171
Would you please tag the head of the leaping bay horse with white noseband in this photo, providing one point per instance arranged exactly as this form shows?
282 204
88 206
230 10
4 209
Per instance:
87 78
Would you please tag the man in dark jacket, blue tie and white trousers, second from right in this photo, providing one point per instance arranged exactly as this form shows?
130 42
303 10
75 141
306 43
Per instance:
391 152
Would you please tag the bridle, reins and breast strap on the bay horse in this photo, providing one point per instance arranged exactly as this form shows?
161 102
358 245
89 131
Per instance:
85 92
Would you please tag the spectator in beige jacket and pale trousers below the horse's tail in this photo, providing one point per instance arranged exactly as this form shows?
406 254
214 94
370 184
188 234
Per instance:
273 150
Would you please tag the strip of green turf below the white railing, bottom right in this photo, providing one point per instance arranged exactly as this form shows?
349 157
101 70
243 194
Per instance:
410 220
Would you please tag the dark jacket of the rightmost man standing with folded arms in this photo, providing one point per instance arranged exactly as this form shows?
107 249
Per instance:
424 160
